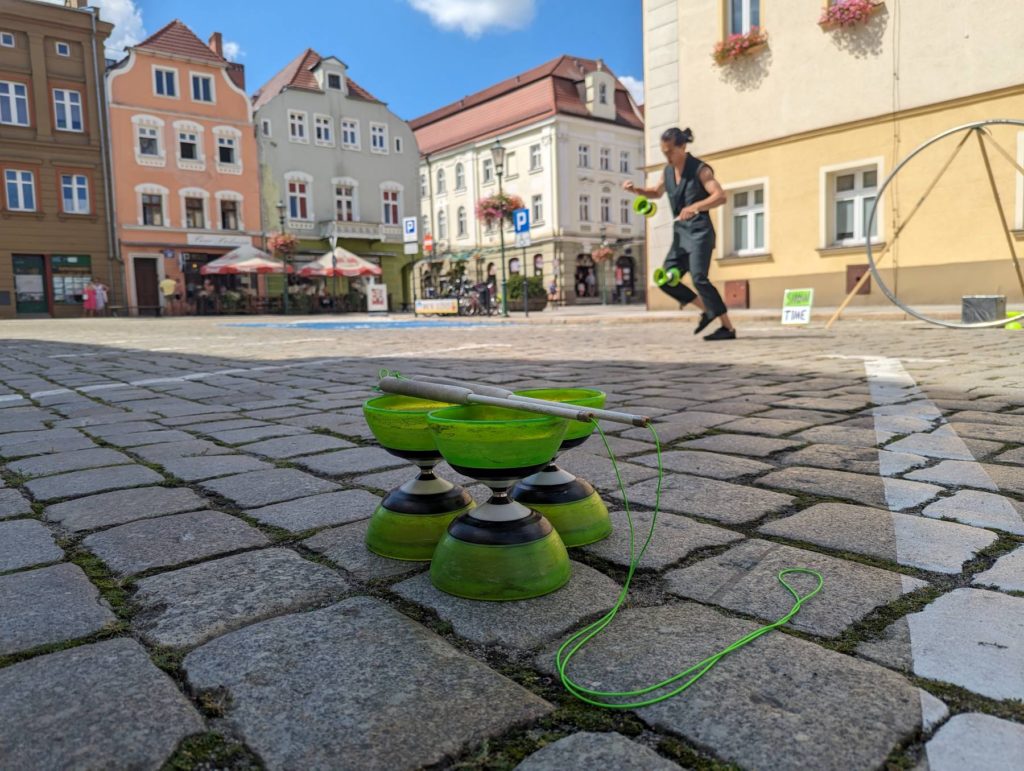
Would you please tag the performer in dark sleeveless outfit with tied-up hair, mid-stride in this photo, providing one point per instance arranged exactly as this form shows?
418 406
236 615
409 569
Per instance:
693 193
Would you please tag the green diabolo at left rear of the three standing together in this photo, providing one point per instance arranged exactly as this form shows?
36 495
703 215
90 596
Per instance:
413 518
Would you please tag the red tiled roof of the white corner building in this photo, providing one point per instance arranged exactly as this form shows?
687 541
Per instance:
533 96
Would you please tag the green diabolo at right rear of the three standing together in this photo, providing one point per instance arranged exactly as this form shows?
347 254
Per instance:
572 505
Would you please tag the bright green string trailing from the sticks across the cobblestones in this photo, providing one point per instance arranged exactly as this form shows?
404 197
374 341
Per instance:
585 635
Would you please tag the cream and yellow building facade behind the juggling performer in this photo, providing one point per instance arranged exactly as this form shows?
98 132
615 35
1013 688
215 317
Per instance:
803 131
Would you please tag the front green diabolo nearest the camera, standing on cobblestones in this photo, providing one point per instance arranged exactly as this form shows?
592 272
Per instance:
501 550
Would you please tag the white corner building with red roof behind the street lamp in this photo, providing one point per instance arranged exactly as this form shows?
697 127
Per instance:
568 166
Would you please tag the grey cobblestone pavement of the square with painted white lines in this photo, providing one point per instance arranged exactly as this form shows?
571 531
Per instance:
183 577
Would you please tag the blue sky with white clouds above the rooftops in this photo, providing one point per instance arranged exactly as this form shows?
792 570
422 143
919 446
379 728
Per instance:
415 55
